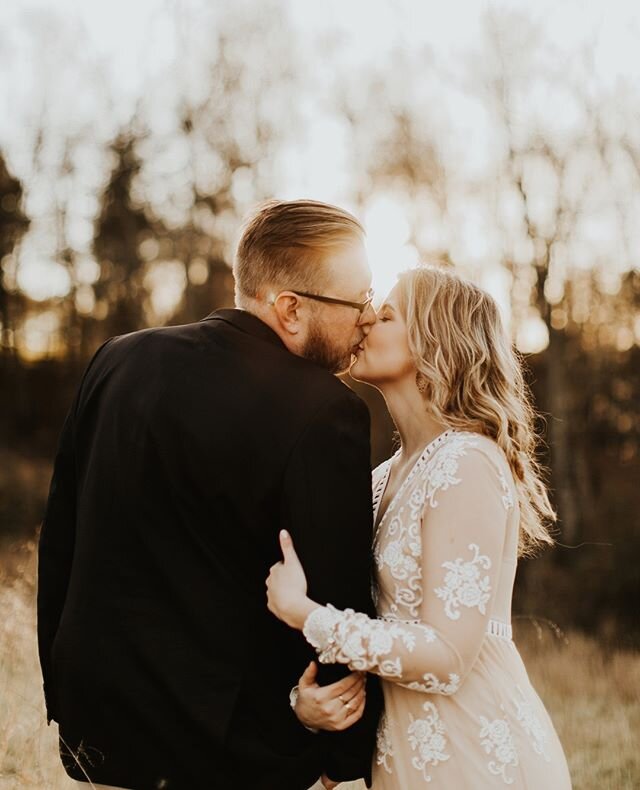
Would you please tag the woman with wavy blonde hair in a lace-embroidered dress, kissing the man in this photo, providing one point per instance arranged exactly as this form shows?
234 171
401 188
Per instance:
453 510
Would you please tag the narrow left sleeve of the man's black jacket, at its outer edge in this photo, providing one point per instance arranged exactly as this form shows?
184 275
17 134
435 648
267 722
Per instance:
56 546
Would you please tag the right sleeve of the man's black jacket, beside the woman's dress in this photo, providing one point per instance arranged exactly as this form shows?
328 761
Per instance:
328 511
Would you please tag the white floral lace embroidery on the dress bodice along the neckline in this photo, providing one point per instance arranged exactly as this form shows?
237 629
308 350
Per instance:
402 551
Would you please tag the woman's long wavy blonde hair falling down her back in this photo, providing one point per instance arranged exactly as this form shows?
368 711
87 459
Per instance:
473 381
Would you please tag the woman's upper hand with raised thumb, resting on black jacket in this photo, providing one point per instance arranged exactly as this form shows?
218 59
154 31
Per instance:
287 587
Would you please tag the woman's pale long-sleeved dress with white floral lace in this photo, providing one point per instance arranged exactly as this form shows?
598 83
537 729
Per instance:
460 711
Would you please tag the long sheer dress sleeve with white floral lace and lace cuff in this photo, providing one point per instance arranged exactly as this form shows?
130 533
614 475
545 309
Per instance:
462 532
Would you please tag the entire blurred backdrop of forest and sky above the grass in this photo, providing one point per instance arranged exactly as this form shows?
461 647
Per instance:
501 140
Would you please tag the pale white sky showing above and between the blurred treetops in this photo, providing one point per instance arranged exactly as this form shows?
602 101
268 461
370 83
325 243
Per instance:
119 48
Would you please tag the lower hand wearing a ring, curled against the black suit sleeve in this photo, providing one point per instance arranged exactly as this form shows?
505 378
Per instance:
335 707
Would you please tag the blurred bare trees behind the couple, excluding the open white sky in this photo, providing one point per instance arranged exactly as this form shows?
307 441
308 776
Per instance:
556 206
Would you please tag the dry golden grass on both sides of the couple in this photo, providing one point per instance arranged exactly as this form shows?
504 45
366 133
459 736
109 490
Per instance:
592 694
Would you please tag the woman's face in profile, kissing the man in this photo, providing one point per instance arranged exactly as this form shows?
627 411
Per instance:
384 357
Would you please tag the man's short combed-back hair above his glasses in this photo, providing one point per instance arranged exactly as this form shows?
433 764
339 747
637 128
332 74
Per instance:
284 242
